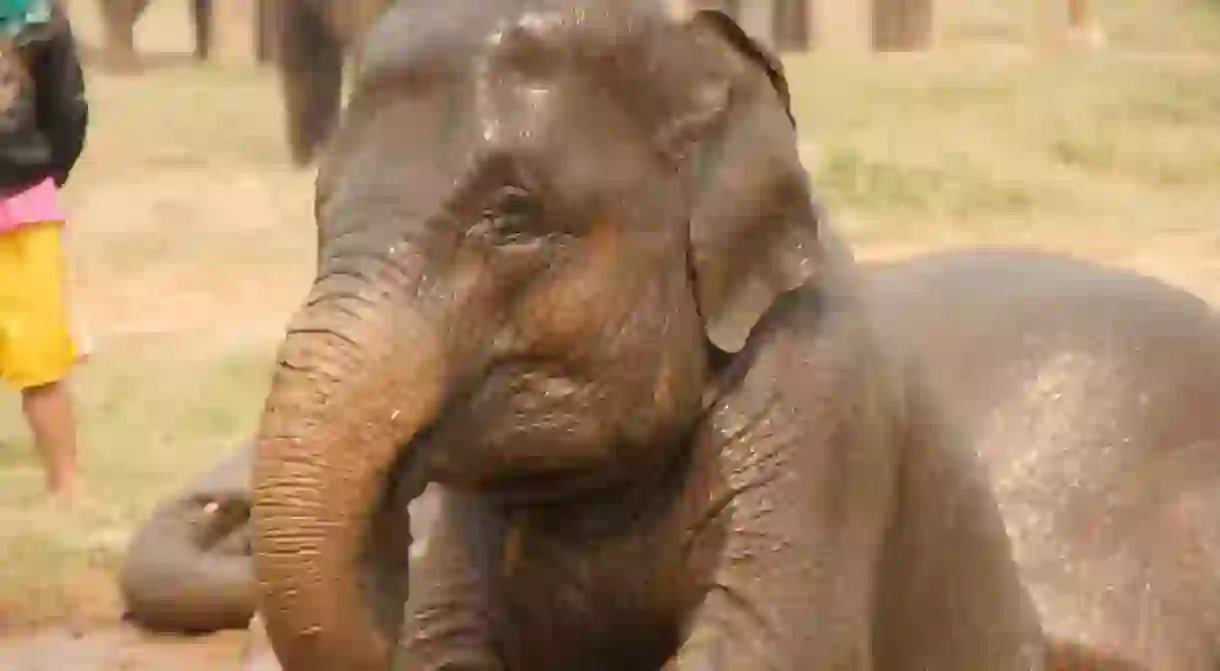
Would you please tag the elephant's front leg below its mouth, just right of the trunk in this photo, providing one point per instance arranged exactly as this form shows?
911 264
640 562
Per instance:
447 623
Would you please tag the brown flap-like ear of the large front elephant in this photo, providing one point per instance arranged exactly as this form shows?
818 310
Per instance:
753 228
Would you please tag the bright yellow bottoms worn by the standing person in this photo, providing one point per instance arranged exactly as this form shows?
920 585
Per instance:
36 339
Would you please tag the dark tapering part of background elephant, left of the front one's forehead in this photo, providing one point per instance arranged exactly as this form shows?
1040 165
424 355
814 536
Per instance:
313 42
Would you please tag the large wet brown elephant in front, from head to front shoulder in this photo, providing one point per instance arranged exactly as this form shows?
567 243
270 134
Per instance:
569 270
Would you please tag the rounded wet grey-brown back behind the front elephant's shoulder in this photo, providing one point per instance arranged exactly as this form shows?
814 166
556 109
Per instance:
1091 396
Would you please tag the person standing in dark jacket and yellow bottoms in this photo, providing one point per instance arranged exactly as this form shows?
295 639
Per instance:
43 121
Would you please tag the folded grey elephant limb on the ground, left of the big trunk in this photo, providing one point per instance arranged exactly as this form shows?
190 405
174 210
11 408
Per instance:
188 568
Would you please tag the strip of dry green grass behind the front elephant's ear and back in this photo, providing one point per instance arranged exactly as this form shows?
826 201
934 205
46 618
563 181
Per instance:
1079 142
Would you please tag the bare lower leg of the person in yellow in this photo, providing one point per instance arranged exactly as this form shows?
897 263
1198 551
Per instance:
51 415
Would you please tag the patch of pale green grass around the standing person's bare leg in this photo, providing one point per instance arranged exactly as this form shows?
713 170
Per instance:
149 420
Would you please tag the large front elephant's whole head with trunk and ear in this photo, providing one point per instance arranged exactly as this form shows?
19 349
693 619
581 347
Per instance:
545 228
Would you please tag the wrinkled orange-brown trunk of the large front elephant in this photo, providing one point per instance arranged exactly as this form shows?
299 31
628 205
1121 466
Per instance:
358 379
